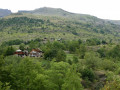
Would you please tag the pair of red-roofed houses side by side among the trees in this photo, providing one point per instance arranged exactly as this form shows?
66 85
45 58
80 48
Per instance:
32 53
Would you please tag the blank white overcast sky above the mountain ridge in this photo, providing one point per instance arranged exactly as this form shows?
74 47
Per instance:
104 9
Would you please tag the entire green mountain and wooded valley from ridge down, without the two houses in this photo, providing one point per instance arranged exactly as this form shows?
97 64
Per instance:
80 52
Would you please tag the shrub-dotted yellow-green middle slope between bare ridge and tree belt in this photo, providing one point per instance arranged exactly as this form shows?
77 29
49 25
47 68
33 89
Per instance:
27 28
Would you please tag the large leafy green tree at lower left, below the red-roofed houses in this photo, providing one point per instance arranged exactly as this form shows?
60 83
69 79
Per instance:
23 74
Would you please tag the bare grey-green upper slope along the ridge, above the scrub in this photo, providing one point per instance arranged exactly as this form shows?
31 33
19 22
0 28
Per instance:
46 11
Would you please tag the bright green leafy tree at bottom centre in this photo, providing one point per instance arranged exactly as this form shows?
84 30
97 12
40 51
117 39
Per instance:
57 74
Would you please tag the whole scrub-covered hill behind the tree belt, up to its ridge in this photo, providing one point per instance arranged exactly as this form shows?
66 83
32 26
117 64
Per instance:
52 23
